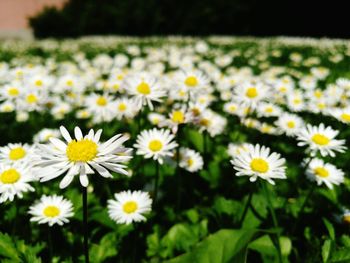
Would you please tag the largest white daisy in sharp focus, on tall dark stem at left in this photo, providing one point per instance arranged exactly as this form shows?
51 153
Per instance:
83 155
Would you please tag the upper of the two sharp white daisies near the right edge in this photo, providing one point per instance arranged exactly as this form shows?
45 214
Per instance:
320 139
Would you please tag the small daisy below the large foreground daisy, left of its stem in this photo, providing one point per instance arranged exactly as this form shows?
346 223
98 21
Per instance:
51 210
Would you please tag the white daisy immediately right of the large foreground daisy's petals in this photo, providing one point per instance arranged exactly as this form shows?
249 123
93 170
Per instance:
156 144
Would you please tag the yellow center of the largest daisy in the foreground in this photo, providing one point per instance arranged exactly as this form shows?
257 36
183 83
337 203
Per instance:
81 151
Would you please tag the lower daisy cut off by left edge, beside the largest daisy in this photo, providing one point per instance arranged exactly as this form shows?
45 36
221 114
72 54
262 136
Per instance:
14 181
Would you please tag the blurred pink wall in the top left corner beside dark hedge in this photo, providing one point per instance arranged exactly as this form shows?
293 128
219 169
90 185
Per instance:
14 13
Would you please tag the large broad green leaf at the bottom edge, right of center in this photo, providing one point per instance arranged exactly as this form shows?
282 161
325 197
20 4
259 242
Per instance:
223 246
